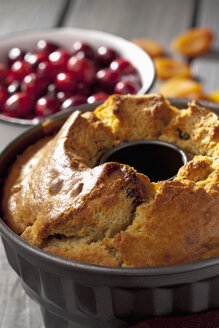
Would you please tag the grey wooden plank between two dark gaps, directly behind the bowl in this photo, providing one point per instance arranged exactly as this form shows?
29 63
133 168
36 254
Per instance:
160 20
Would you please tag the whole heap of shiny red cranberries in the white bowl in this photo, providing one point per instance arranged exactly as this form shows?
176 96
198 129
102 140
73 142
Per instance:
52 78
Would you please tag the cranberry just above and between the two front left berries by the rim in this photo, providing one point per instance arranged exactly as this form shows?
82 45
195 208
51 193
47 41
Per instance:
34 85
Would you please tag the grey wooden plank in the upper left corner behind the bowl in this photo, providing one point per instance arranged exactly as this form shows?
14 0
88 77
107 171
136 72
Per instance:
28 14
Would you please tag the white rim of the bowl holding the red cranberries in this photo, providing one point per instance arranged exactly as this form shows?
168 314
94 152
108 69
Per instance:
51 32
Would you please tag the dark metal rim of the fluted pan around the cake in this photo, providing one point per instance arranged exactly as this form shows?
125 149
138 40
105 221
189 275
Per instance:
175 270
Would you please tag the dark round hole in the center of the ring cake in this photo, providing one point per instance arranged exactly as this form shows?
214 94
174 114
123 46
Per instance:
157 159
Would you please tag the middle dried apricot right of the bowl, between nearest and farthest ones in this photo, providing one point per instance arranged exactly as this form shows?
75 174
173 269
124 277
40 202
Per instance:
169 67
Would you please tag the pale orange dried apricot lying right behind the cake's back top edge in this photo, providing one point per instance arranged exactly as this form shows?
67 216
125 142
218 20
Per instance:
182 88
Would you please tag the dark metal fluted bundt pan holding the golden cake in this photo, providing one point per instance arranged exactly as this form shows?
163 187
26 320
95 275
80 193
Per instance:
73 294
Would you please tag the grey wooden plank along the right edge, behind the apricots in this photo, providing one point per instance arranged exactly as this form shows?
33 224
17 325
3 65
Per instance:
206 67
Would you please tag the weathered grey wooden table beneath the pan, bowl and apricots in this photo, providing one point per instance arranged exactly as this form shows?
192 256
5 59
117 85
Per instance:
161 20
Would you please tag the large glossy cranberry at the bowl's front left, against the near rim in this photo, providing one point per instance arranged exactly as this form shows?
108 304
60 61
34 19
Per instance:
19 105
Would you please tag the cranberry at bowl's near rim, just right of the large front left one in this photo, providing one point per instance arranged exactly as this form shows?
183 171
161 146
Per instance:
46 106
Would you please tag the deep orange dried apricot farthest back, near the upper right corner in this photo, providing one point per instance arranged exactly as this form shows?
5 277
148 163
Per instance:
193 42
